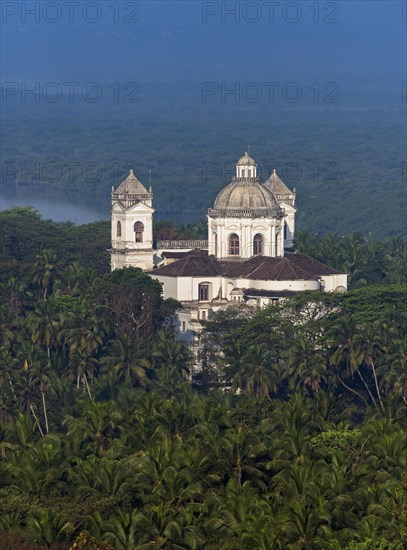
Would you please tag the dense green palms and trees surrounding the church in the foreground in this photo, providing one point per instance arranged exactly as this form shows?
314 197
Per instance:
292 435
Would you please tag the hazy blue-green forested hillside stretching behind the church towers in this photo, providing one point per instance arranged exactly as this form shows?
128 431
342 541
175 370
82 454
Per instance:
345 159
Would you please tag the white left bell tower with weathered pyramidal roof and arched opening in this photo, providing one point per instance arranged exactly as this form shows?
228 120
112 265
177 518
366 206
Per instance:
132 225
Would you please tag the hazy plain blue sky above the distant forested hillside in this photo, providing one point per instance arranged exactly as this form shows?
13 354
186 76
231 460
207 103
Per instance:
359 44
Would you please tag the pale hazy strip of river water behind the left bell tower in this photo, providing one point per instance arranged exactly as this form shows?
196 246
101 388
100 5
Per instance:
76 207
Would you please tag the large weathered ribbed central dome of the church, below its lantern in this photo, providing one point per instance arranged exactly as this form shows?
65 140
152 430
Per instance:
244 195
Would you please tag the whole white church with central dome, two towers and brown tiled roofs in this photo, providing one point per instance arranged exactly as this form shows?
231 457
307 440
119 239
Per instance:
249 256
